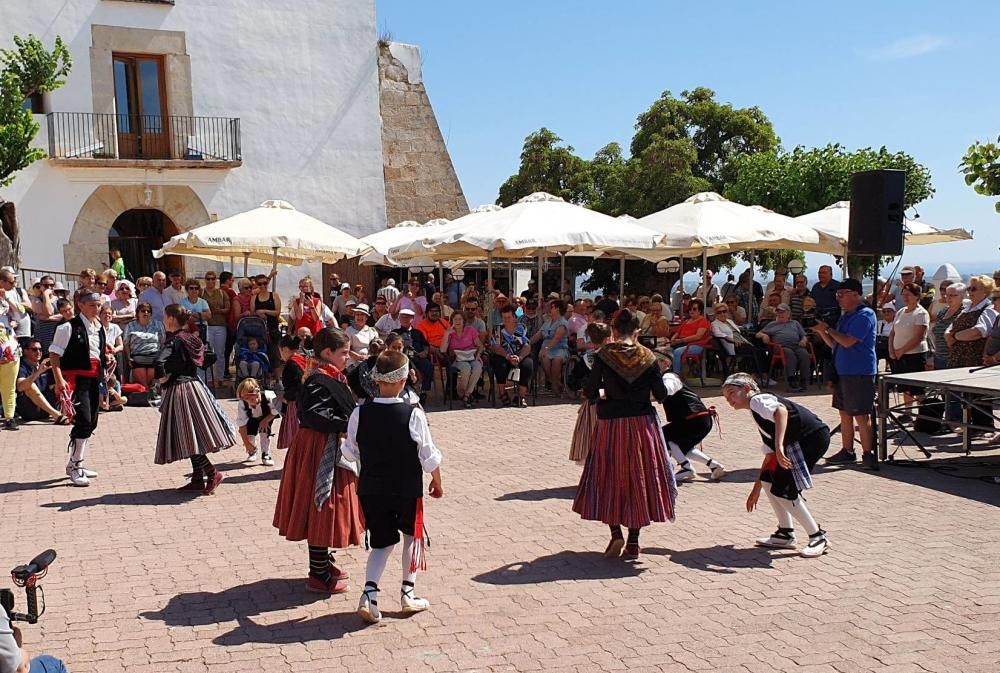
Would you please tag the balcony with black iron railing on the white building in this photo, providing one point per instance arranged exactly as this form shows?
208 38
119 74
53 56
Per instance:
143 141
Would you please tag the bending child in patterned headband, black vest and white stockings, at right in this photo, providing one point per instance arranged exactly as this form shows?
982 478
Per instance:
794 440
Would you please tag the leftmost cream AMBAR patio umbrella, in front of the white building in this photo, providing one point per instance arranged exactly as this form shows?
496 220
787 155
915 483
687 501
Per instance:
273 231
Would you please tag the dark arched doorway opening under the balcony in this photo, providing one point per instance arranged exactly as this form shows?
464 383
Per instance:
137 233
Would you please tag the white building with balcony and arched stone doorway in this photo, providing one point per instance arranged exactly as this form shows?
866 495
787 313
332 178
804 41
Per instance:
178 111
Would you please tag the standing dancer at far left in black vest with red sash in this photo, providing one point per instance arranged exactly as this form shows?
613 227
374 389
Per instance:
80 345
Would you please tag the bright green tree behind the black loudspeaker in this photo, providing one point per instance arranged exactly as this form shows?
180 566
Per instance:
806 180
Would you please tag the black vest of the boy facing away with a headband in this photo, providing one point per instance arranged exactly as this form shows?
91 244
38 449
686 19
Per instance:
390 464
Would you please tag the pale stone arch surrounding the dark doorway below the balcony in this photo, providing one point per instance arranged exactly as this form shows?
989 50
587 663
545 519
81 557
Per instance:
88 242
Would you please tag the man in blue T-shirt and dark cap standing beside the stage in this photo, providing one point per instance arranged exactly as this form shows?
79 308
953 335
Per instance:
853 344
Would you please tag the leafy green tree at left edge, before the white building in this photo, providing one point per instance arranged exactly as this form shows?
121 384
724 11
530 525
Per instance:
27 70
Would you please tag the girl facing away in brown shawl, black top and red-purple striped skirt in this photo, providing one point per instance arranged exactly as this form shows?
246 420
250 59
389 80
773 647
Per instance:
626 480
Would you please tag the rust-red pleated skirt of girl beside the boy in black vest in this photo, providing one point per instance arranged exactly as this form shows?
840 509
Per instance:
339 523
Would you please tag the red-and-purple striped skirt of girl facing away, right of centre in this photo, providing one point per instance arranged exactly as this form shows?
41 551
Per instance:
626 480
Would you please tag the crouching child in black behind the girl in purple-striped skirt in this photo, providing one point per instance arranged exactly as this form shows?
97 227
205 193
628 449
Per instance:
688 423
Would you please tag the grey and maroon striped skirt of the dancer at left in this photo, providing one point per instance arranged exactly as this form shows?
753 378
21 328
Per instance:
191 423
